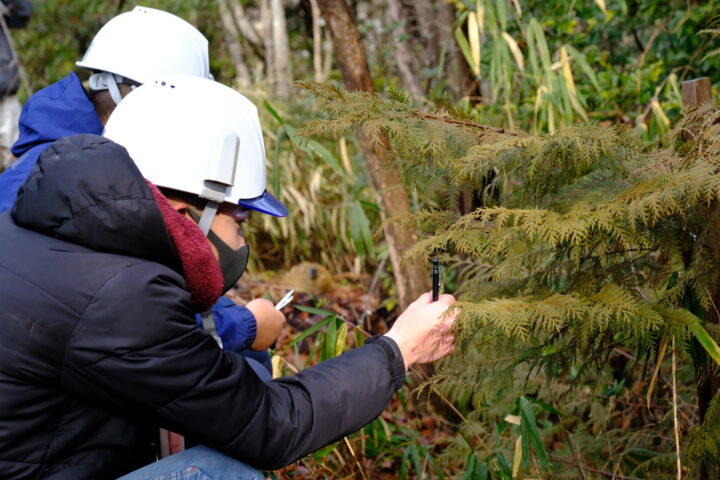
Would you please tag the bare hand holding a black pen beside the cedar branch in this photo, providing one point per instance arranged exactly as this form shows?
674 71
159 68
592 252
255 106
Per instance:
422 332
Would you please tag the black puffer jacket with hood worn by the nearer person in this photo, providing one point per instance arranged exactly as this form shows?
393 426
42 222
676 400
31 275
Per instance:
98 342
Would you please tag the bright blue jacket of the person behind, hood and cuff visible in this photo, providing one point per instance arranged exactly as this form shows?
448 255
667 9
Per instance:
64 109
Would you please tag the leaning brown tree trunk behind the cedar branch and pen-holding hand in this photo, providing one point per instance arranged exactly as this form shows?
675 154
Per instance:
411 279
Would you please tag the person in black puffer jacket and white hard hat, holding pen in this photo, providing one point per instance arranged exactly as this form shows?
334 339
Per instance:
123 236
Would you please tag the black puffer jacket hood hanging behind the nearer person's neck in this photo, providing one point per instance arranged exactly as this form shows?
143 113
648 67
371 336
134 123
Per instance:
86 190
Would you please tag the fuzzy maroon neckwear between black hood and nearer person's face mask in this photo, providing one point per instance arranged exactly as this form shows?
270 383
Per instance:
200 268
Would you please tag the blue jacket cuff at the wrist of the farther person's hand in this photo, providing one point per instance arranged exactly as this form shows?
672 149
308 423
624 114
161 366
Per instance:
236 325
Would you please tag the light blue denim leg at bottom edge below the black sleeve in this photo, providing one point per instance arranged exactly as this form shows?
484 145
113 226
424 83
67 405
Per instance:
198 463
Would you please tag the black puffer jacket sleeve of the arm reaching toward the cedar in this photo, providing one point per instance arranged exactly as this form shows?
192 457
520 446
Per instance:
137 351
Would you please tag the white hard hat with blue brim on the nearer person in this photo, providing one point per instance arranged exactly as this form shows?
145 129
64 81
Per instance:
197 136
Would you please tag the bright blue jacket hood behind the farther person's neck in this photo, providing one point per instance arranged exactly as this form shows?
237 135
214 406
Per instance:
59 110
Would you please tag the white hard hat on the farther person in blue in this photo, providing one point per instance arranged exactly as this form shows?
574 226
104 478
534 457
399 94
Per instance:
146 43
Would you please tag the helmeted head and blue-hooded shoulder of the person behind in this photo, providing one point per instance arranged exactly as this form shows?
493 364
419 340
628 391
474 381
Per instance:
130 49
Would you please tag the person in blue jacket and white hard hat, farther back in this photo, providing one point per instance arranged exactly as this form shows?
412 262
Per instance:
131 49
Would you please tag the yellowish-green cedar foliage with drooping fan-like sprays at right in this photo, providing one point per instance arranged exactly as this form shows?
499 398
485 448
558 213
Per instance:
588 241
